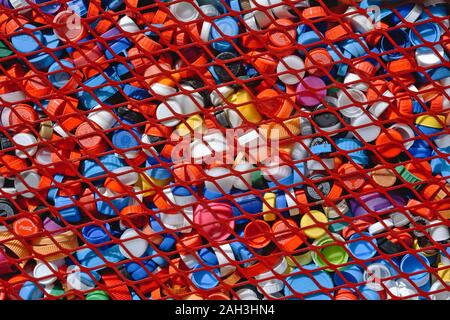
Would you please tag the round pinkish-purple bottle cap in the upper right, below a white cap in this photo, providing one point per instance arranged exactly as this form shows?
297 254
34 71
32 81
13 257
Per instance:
310 91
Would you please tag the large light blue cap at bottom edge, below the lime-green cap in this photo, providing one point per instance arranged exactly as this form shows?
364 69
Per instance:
303 284
